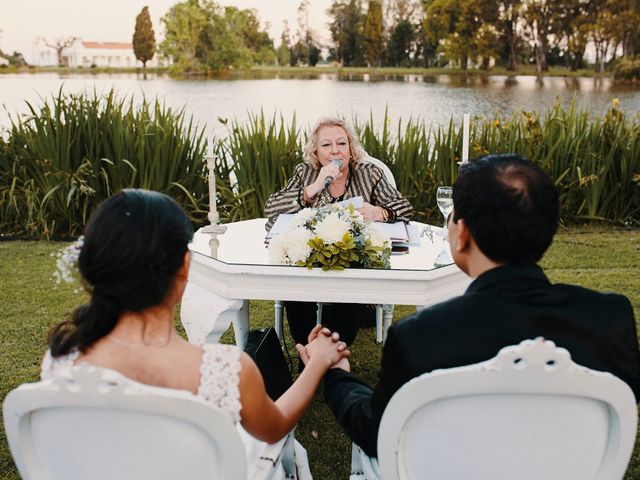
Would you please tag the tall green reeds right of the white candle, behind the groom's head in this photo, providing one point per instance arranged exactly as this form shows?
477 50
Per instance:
594 161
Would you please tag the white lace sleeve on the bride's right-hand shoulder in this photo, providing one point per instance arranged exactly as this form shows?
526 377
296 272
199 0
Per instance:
220 377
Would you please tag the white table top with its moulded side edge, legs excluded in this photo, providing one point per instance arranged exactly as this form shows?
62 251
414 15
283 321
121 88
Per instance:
241 270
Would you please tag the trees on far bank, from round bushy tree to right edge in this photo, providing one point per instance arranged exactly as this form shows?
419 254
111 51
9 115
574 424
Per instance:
201 35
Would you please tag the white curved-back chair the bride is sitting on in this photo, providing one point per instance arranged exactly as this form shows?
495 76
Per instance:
95 423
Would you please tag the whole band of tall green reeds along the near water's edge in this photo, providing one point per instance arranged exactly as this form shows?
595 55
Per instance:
76 150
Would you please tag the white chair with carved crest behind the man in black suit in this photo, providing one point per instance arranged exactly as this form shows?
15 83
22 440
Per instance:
529 413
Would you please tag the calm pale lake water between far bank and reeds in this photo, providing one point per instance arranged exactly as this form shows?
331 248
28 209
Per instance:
433 99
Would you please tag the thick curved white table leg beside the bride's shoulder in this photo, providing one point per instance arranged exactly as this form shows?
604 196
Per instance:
206 316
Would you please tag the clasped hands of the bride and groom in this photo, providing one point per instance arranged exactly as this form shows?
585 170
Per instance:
325 348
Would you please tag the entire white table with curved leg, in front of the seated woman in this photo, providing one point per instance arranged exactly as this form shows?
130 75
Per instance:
219 288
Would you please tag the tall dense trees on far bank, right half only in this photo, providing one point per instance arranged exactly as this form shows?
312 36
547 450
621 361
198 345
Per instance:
476 33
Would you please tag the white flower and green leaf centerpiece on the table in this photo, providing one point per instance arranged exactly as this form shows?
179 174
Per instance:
333 237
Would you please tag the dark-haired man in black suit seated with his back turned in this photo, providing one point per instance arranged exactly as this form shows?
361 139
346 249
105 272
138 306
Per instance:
504 219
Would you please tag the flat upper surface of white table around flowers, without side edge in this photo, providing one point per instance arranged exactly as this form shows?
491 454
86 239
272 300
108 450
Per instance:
243 244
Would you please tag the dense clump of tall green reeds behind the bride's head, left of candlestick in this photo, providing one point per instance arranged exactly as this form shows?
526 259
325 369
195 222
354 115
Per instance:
75 150
